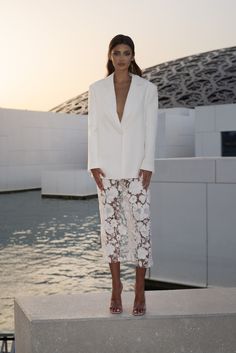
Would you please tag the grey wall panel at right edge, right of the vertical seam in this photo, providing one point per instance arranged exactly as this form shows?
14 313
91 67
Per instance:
221 234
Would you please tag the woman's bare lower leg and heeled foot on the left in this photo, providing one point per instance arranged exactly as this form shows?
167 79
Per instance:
116 303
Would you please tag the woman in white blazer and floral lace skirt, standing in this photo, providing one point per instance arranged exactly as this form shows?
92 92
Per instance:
122 124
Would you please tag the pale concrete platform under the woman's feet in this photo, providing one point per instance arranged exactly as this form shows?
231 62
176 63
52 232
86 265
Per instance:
196 320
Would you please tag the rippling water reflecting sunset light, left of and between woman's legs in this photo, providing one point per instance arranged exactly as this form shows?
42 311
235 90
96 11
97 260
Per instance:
50 246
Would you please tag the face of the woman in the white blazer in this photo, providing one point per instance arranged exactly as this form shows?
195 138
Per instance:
121 56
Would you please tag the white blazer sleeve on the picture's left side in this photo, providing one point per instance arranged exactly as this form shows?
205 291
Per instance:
92 130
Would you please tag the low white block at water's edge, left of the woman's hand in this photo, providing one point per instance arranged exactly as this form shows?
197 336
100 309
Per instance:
68 182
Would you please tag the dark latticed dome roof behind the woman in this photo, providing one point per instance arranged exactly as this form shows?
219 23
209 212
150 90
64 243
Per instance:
202 79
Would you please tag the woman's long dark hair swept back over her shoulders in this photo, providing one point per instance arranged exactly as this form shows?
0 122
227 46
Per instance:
122 39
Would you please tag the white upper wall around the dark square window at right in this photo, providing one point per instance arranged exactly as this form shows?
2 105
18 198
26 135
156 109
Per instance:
209 122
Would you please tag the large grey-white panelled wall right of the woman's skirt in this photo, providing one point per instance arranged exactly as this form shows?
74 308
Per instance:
193 203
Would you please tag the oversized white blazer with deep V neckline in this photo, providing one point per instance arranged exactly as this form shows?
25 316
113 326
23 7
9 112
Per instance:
122 148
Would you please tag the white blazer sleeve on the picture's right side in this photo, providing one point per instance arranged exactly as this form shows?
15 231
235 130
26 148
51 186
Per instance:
151 119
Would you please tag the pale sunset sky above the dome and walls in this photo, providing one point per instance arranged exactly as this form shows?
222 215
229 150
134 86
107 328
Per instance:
51 50
